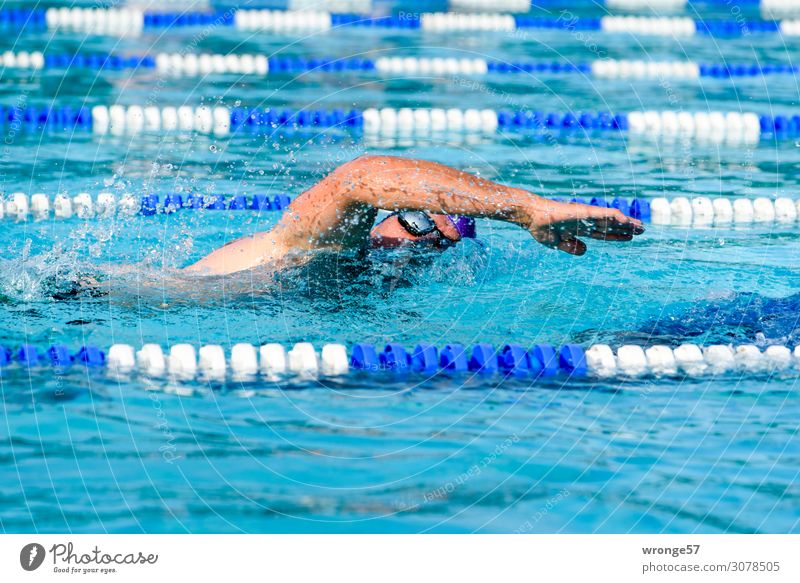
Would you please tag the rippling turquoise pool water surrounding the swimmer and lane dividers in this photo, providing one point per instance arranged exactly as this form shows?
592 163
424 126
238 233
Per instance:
85 453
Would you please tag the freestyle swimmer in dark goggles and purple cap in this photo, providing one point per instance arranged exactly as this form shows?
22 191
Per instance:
428 202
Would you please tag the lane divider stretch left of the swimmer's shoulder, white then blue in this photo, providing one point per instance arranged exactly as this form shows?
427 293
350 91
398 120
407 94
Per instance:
19 207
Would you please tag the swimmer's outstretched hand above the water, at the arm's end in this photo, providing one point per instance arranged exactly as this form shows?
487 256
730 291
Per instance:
558 225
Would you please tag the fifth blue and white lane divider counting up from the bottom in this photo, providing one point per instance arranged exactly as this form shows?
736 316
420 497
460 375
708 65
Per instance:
124 21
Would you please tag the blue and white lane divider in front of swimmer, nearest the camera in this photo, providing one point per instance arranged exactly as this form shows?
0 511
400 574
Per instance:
274 362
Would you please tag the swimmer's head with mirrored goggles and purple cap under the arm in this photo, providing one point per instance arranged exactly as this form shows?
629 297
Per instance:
420 228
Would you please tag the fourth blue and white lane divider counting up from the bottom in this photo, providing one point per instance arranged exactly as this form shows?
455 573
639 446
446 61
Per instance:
192 64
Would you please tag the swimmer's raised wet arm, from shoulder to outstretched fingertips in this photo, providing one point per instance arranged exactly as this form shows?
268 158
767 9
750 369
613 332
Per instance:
341 209
